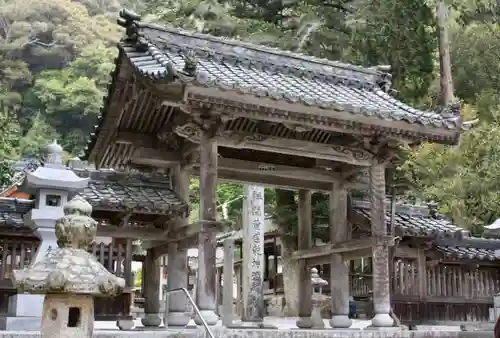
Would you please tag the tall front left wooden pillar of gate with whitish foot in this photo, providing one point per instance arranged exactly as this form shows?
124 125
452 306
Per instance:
205 291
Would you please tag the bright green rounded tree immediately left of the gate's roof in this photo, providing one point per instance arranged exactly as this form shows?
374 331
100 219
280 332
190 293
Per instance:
71 98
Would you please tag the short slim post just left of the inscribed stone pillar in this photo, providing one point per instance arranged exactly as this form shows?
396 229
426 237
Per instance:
227 289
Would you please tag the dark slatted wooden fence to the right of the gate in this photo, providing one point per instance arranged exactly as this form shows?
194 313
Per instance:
452 292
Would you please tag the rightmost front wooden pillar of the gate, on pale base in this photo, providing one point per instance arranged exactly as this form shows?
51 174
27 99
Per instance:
381 278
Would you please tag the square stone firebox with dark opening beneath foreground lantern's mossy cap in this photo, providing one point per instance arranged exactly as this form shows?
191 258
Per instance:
67 315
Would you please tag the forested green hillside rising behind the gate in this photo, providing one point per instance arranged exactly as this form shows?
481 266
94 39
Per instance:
56 56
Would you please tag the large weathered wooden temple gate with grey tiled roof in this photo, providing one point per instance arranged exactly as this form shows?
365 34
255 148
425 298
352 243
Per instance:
190 104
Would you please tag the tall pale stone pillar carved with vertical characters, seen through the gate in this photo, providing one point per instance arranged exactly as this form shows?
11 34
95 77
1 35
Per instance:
253 254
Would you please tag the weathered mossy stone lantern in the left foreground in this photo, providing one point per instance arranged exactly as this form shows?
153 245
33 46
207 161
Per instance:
69 276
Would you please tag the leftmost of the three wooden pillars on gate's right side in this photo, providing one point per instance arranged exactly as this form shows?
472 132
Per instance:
304 242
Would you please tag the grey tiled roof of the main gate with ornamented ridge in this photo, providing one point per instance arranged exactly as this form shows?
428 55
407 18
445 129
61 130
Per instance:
162 53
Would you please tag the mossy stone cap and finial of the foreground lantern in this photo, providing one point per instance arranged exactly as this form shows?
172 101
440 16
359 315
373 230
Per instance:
70 268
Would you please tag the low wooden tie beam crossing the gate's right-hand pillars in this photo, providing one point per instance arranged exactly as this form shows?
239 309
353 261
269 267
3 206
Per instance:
343 247
